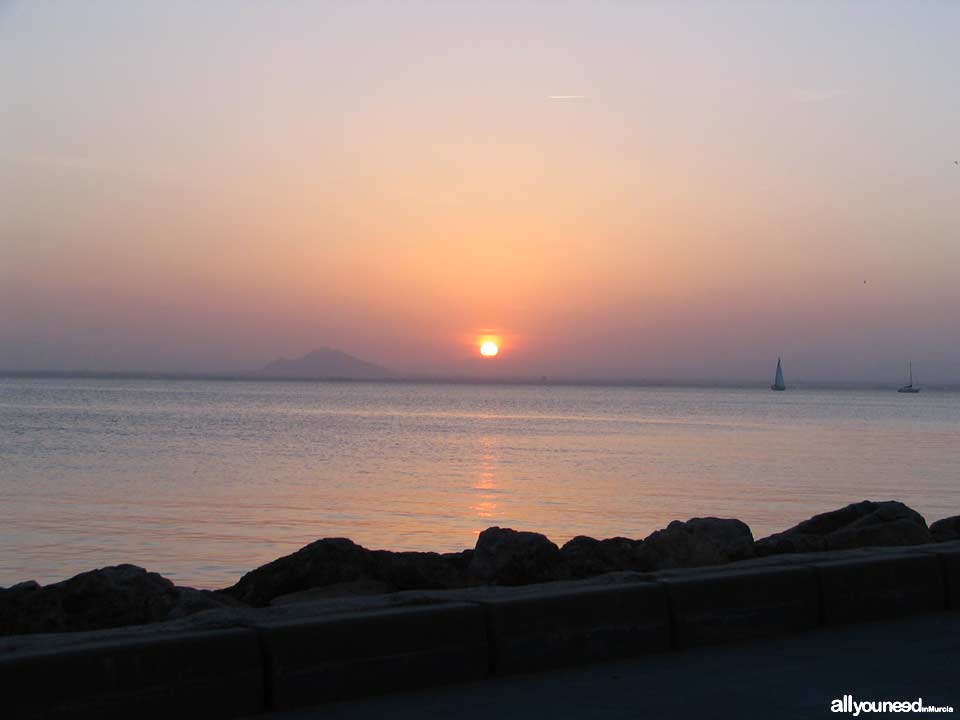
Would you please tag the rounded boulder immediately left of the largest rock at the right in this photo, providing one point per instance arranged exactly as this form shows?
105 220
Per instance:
694 543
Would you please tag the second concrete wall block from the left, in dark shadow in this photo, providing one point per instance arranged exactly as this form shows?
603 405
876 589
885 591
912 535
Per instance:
340 656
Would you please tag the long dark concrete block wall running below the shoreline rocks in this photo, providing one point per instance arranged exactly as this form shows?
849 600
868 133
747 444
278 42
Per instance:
466 635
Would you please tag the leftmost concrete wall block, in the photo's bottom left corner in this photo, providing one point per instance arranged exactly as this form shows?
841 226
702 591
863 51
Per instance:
209 674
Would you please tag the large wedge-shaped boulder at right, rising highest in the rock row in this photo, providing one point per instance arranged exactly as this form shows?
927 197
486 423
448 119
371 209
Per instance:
863 524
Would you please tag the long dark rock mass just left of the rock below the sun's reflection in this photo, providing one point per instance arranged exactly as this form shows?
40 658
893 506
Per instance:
342 567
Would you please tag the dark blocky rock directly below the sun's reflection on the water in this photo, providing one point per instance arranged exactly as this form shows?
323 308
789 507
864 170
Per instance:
508 557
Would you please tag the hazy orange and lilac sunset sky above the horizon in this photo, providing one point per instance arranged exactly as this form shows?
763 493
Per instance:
208 186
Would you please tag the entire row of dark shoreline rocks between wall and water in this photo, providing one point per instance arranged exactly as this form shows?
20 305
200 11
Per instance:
334 567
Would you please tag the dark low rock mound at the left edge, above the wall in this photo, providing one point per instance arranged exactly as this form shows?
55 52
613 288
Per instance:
109 597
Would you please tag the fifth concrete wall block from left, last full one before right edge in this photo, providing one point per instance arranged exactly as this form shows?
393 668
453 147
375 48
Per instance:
881 587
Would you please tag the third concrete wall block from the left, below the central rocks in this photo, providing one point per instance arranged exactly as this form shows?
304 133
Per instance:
550 629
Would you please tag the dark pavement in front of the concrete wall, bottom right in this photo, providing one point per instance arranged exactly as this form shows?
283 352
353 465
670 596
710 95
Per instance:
788 677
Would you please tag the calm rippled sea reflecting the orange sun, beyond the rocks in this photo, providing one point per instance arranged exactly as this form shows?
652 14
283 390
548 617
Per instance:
202 481
